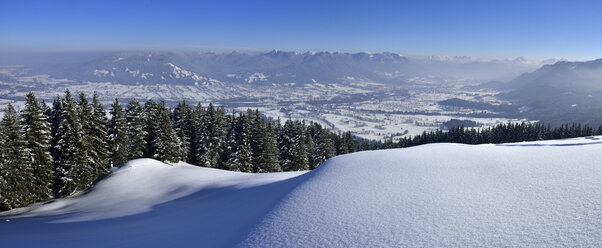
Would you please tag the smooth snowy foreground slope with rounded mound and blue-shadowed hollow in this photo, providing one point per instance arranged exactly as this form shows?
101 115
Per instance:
531 194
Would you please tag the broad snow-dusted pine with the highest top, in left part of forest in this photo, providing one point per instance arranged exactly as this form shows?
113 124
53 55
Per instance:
71 162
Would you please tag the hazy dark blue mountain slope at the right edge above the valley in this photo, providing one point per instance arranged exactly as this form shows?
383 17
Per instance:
560 92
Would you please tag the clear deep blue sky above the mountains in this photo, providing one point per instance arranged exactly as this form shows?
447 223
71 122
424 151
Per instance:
534 29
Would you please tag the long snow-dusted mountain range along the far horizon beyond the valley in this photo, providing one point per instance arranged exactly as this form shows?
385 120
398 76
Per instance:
280 67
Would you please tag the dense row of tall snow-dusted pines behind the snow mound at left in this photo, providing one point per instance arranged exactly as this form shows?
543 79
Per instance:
62 149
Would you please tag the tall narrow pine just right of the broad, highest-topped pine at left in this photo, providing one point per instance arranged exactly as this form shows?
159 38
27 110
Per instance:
98 136
